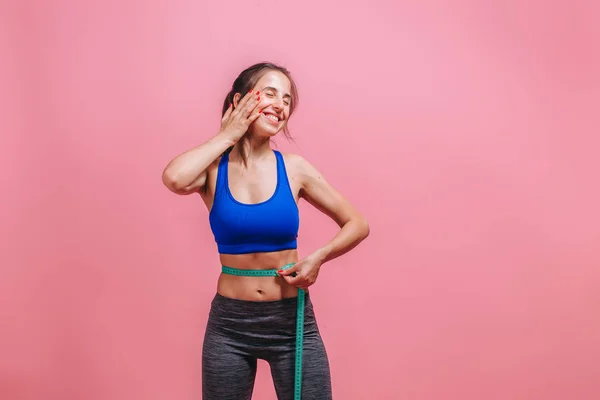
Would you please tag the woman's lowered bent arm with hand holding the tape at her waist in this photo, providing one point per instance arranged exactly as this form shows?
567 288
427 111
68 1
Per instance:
354 227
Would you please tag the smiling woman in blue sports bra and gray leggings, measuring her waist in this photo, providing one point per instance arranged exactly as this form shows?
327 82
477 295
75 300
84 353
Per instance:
252 194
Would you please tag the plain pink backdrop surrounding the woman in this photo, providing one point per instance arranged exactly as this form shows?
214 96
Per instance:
465 133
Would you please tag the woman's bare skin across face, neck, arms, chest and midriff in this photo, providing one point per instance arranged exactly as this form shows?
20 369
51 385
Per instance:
254 181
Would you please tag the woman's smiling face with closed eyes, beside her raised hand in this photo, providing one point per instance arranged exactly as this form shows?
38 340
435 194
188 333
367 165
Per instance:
275 101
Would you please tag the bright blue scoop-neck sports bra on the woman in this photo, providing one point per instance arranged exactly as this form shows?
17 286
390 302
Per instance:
241 228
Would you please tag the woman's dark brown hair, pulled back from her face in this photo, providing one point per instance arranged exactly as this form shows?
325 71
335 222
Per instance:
248 78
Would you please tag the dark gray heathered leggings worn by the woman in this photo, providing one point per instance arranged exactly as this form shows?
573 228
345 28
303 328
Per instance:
239 332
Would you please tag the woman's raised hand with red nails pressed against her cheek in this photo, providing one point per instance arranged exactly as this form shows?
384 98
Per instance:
235 122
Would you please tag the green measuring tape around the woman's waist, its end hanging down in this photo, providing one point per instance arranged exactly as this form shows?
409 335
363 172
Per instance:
299 318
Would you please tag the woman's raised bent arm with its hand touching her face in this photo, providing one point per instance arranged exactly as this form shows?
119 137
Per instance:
186 173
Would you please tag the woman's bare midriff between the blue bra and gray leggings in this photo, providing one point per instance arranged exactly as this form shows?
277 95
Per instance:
257 288
